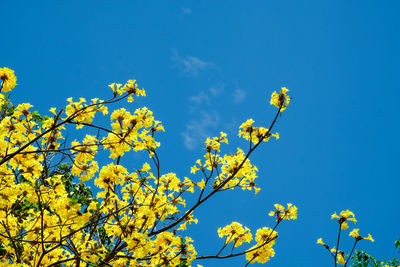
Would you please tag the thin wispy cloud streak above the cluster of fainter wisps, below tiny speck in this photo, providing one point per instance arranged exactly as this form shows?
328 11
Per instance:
190 64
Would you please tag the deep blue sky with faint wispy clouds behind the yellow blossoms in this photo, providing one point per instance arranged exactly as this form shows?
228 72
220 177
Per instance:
207 66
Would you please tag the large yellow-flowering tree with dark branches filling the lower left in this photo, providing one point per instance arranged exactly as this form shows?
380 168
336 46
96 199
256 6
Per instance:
50 217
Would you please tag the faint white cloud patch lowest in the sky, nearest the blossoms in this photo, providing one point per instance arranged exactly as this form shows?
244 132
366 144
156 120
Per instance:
197 130
